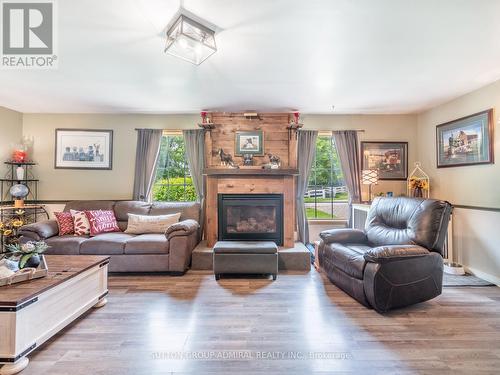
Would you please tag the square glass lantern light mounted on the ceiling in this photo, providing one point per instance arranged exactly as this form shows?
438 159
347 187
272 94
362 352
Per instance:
190 40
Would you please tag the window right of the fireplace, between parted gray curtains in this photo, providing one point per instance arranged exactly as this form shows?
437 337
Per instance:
326 196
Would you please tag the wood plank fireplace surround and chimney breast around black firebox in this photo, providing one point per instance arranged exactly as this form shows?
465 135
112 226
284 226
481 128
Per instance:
277 141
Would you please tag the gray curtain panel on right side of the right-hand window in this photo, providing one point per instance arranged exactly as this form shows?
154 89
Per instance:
347 145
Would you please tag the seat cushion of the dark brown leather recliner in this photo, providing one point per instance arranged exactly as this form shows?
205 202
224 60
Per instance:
348 258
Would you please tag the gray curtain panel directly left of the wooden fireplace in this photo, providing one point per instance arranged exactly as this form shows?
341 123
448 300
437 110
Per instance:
194 141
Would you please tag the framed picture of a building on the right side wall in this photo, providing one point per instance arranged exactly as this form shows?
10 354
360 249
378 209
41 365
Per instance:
466 141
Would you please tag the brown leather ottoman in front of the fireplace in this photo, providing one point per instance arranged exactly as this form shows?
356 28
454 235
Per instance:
245 257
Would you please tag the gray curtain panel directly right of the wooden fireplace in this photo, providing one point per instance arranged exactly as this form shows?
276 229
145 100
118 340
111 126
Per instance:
306 152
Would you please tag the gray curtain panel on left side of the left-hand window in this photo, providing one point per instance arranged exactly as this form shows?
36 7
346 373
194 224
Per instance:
146 158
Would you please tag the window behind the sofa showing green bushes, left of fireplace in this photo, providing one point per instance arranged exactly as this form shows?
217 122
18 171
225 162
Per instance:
173 181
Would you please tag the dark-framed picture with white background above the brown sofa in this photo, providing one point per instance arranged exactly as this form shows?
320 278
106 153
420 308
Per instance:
83 149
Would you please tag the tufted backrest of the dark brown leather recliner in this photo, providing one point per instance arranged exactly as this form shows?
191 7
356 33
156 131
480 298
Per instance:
403 220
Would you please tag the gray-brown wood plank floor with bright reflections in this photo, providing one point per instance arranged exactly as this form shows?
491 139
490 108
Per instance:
165 325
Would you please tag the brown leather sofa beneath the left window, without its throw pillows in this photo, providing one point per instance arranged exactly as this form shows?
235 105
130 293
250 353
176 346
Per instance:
168 252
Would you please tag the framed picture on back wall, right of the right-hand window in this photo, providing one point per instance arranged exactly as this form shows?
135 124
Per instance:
390 158
